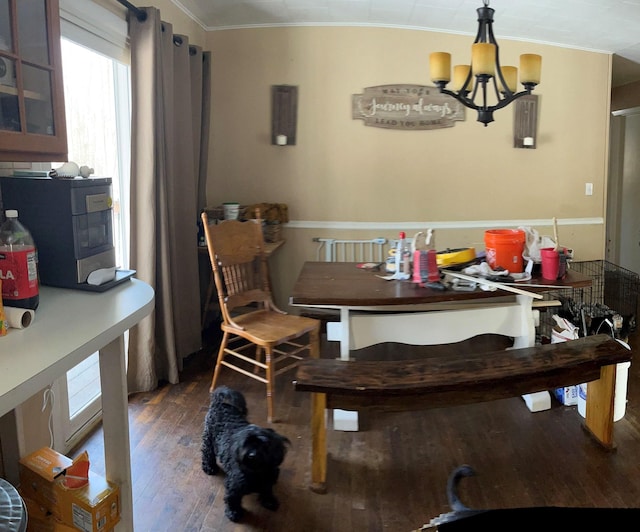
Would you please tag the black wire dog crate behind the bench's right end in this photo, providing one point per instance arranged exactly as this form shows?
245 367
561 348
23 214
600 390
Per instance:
613 291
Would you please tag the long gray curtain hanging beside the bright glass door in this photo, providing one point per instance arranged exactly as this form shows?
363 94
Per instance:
170 113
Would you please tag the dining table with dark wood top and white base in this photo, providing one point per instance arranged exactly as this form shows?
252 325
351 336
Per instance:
374 310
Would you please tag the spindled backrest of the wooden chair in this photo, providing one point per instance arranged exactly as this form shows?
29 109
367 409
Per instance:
236 251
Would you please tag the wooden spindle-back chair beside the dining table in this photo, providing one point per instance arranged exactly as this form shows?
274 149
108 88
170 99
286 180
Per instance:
250 318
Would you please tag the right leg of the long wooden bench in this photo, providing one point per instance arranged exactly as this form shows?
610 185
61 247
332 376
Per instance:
600 404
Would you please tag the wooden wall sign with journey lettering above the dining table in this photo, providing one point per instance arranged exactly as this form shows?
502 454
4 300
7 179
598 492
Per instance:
406 107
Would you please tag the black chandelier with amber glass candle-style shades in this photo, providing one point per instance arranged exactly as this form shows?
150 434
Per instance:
485 67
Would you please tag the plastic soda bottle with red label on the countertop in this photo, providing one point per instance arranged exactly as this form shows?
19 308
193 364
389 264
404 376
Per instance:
18 264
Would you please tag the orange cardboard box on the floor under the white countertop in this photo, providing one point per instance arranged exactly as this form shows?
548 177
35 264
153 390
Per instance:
94 507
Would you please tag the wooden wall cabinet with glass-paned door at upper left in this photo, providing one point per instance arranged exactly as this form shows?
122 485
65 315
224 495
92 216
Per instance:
32 120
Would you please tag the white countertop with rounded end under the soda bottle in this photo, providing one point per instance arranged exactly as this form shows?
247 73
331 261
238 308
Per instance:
68 326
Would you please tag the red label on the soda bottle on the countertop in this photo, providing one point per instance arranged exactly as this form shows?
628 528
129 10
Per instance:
19 274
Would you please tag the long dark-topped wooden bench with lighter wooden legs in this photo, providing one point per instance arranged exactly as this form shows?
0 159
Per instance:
444 380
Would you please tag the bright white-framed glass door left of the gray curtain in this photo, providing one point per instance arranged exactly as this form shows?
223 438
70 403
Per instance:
97 106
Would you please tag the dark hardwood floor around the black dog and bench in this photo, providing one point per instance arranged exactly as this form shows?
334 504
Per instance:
390 476
